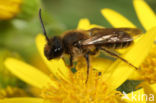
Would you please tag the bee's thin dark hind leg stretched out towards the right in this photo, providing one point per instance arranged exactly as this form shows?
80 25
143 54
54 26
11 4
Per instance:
117 56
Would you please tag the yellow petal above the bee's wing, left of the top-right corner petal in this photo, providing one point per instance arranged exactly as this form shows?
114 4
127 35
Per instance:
116 19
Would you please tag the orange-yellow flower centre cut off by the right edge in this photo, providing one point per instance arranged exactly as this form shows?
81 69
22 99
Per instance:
148 68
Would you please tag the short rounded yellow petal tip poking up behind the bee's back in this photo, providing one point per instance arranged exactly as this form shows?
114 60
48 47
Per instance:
83 24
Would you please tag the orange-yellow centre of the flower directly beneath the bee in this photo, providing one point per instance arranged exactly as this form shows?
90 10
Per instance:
77 91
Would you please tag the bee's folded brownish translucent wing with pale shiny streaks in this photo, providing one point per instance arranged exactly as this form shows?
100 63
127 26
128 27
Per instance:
101 36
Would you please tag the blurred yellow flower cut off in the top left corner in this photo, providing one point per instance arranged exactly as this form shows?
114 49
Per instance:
9 8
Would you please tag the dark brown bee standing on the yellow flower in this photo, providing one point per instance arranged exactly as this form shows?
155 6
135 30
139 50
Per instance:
83 43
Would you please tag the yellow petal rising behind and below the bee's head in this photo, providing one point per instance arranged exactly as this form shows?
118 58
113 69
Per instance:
57 66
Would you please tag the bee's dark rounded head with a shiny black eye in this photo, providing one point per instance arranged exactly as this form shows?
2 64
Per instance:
54 48
